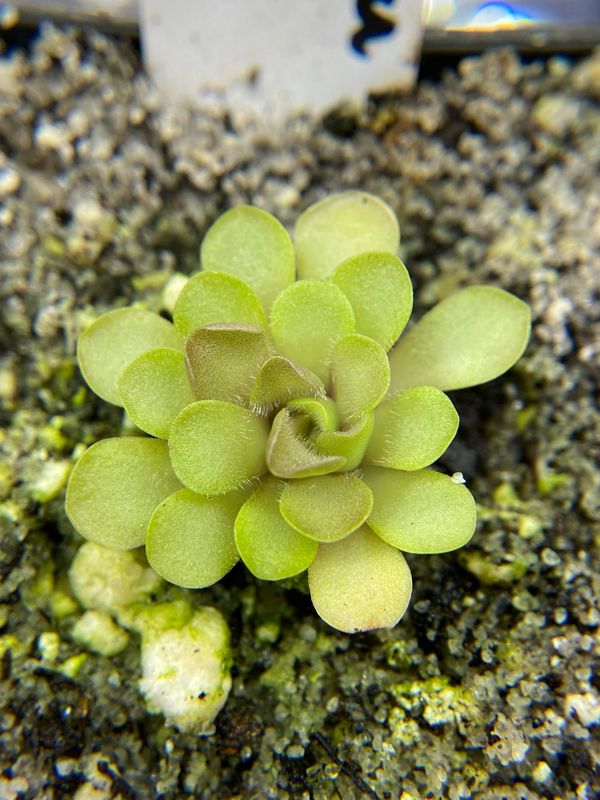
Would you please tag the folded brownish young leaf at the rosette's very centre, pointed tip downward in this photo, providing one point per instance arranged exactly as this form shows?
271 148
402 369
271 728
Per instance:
291 455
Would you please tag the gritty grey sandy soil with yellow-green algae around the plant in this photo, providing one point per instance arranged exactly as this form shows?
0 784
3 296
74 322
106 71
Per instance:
487 688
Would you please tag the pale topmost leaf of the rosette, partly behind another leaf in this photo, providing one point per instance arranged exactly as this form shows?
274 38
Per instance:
339 227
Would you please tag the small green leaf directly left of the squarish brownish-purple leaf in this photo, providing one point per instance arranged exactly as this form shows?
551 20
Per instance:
154 389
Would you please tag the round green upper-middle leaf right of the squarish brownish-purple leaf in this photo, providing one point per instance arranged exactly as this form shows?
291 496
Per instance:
307 320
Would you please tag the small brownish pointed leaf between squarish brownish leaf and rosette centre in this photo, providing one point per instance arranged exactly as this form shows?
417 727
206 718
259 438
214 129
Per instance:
279 380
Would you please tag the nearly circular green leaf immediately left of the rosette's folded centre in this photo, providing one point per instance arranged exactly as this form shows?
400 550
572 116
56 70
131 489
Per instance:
216 446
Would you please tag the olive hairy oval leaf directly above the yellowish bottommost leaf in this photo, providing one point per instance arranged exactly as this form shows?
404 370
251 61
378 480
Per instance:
326 508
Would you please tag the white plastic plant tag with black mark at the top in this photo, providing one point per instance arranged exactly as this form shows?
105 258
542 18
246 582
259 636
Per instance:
274 57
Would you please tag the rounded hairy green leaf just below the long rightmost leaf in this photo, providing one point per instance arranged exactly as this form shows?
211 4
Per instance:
412 429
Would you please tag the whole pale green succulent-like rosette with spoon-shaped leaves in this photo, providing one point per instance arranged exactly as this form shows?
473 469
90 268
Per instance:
286 426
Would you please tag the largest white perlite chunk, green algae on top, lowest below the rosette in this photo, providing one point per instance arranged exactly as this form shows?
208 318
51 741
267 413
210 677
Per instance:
185 664
